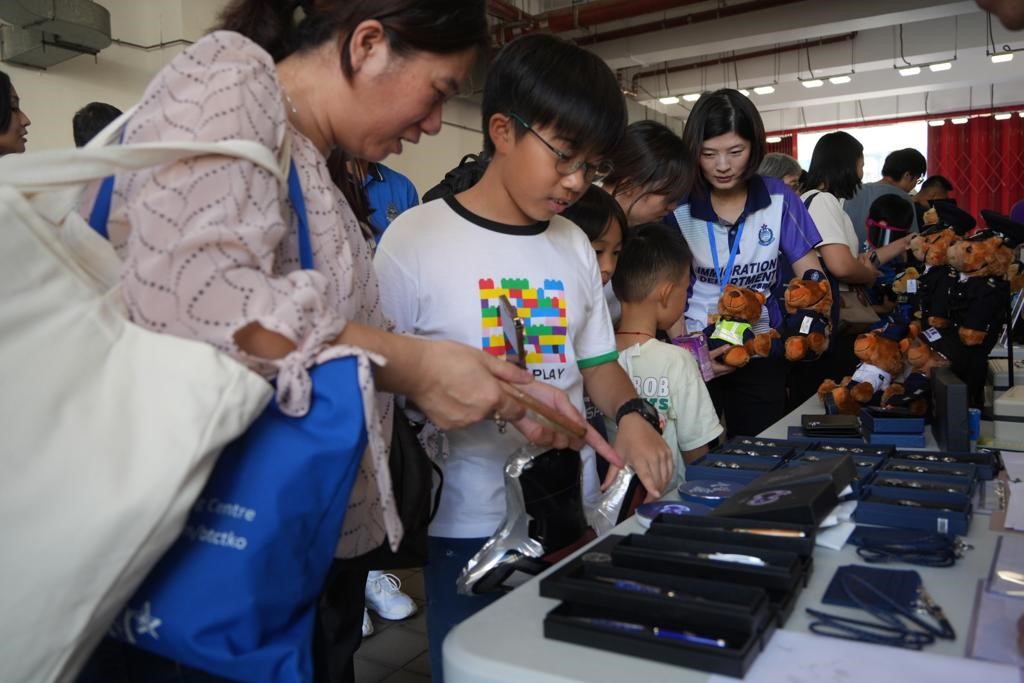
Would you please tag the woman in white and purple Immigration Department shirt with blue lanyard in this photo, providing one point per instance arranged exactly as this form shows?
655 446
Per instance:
747 231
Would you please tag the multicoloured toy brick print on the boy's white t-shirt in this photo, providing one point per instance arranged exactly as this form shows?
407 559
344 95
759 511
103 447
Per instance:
543 312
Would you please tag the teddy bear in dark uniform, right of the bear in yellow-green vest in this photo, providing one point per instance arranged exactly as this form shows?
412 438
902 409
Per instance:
808 322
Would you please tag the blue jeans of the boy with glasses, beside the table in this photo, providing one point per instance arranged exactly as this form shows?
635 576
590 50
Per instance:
446 609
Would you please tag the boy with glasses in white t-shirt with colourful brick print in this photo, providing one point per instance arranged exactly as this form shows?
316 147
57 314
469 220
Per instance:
552 113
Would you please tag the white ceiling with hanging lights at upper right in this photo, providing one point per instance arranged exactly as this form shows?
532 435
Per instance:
863 39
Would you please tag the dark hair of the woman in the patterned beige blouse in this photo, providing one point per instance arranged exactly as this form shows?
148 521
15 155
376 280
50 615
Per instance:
442 27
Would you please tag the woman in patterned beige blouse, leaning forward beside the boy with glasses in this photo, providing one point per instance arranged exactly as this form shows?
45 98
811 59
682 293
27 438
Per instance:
212 246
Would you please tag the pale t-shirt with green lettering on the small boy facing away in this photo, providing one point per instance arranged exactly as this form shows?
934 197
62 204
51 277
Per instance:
668 377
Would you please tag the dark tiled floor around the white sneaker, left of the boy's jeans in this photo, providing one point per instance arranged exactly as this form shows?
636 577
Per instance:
398 651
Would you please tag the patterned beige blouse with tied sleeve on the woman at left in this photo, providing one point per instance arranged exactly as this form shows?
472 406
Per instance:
210 246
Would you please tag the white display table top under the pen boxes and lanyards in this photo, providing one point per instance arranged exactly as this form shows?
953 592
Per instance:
505 643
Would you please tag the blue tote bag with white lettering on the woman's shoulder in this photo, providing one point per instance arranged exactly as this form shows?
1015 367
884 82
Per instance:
236 595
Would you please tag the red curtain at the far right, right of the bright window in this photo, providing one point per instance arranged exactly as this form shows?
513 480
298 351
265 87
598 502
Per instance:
985 161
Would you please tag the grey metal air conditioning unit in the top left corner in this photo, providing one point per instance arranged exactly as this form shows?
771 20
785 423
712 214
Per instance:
44 33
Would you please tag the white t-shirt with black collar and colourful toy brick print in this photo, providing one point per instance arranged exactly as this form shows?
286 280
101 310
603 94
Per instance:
442 270
